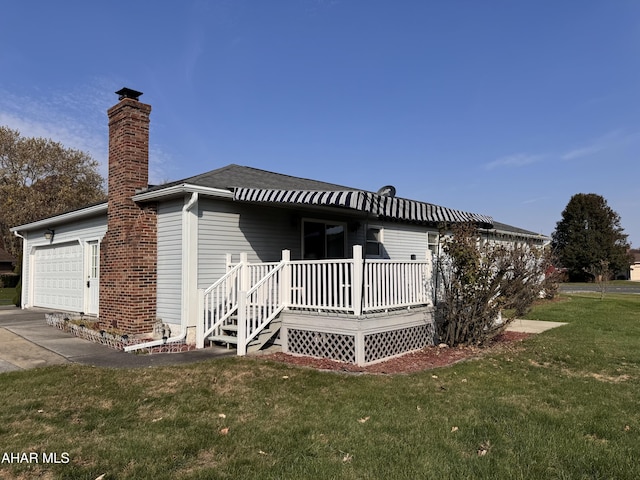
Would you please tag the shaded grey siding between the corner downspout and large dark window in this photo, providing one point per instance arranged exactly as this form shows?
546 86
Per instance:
231 227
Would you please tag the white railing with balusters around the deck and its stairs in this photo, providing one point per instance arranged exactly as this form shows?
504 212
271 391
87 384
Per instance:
352 286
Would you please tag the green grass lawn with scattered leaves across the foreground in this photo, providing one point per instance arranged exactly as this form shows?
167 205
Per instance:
561 405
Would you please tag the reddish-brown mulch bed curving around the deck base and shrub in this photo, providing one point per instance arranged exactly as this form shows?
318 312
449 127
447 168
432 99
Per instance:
425 359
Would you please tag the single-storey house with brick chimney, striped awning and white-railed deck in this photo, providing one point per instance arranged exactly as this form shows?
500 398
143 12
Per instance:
227 255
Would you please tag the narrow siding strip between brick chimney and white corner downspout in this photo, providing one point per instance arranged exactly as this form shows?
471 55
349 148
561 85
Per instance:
169 283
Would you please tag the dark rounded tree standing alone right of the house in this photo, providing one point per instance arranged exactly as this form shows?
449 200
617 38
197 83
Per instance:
589 234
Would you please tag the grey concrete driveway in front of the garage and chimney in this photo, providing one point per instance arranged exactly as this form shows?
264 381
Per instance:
26 341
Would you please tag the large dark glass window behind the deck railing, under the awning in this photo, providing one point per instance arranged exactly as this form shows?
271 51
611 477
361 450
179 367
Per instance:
323 240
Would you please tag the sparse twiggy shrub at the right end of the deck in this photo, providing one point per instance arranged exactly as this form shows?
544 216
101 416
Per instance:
478 281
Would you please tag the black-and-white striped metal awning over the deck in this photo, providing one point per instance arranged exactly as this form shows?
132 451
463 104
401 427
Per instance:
381 206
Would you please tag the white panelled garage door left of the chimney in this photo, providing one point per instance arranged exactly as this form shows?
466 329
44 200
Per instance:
58 277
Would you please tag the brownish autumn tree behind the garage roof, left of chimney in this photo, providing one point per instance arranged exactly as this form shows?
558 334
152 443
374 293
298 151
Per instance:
40 178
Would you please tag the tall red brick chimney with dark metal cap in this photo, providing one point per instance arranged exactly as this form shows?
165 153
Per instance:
128 252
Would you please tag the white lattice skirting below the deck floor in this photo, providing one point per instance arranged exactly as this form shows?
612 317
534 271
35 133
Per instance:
360 341
